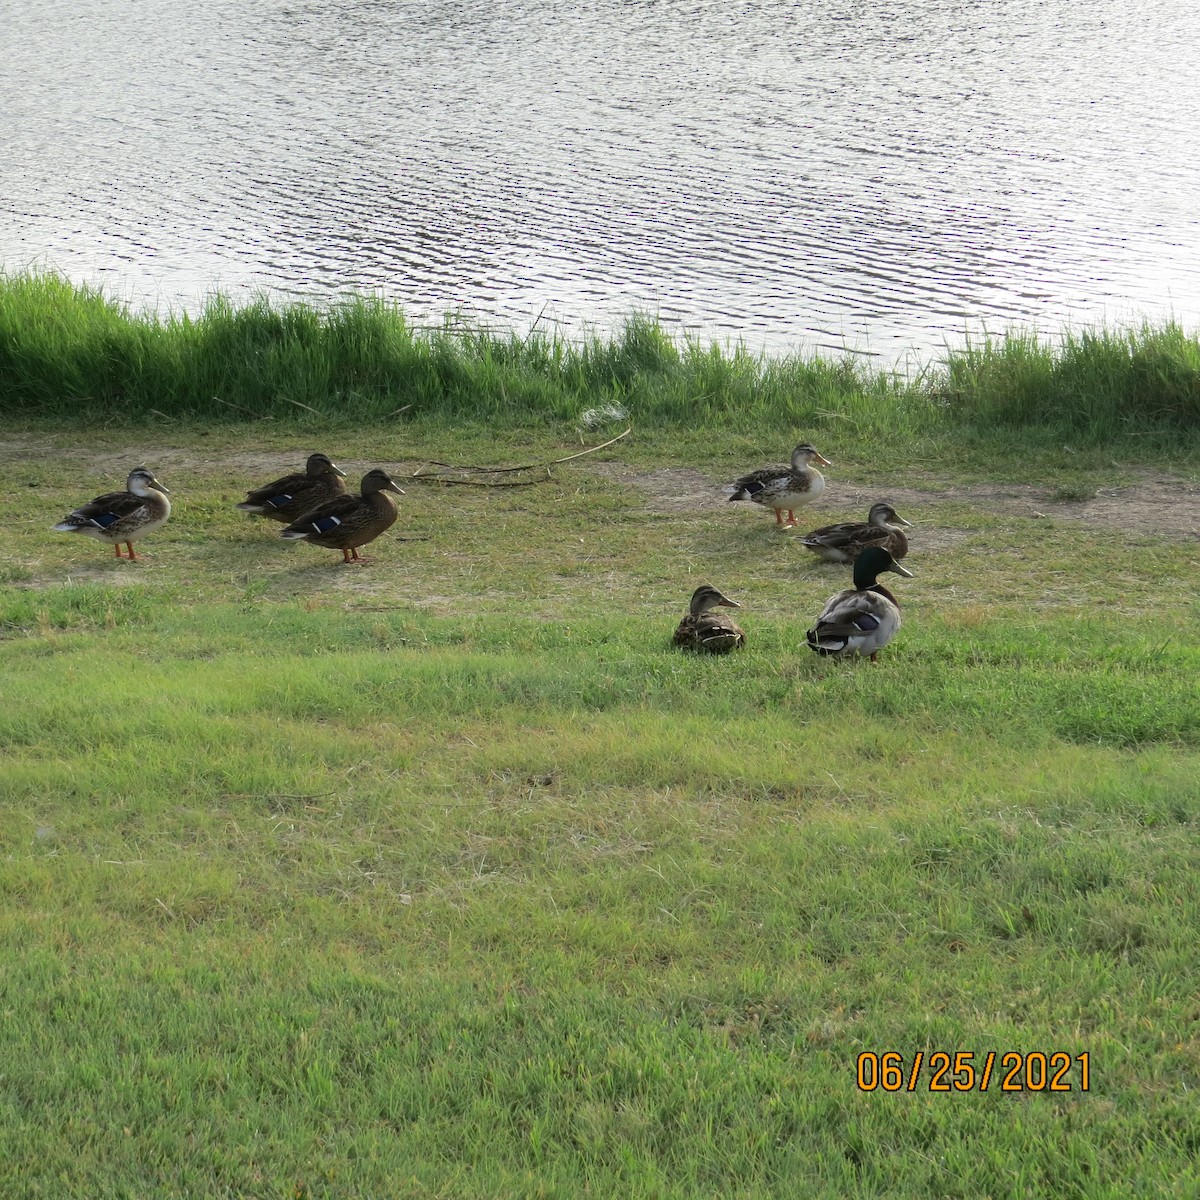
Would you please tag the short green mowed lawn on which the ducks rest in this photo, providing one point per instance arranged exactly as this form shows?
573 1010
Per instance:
447 877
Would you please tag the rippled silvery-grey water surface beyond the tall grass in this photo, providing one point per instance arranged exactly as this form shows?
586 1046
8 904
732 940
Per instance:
886 176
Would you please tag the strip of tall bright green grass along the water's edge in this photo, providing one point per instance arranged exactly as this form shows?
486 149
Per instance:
68 350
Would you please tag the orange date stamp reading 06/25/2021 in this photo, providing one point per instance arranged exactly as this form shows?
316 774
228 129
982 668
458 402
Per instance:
965 1071
